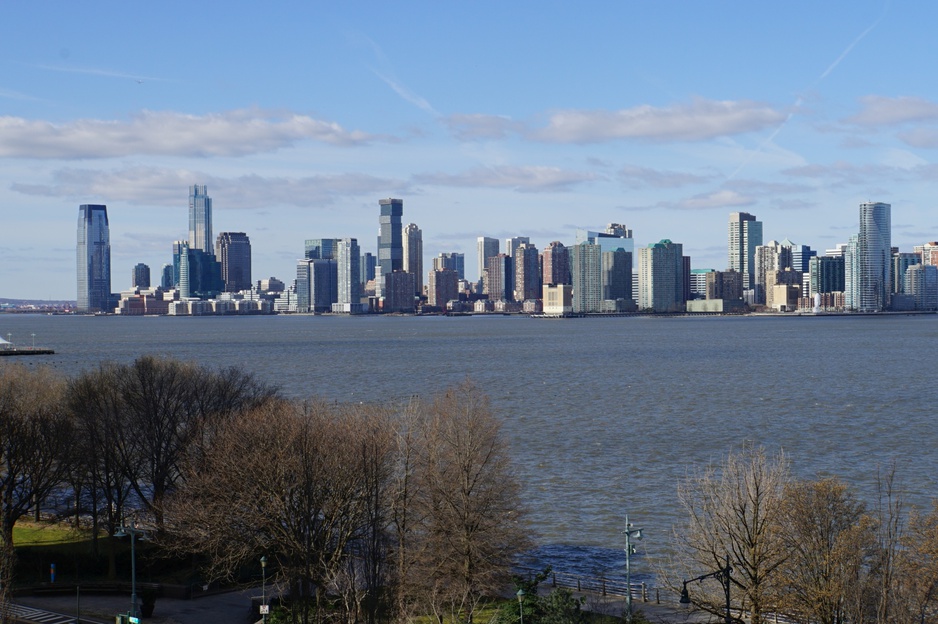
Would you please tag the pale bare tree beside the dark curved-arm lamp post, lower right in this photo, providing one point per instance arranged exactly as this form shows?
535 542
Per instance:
734 510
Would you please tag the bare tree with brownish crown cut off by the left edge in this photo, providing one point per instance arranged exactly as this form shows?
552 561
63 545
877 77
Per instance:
34 450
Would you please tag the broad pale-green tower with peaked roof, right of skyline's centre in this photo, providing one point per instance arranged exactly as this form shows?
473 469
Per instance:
661 277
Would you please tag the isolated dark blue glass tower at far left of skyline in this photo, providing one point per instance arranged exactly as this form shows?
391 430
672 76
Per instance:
94 259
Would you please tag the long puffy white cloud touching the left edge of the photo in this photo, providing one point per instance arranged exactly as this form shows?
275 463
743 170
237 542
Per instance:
233 133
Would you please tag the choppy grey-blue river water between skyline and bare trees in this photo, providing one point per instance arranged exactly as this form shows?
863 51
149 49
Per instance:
604 416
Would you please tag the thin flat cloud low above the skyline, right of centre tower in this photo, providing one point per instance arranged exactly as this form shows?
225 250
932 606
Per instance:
529 179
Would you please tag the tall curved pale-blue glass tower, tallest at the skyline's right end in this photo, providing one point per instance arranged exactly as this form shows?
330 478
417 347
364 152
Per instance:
874 269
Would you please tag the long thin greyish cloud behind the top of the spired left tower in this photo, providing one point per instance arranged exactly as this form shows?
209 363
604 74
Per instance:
152 186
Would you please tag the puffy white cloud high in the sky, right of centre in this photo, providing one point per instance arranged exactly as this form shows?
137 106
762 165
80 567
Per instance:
698 121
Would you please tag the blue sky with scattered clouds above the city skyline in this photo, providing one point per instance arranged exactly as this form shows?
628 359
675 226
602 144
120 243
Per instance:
488 118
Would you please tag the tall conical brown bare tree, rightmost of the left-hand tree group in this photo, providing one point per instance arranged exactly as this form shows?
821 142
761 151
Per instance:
469 505
